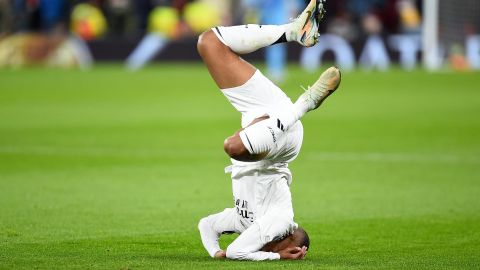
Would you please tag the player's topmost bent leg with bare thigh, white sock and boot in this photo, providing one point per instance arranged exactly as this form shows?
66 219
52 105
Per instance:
220 47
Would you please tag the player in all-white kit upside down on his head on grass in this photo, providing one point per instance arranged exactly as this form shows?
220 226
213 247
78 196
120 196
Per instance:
271 137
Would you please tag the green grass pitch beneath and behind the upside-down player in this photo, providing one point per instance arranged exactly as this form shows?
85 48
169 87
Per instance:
107 169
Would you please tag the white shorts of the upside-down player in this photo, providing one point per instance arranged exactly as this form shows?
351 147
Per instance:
258 97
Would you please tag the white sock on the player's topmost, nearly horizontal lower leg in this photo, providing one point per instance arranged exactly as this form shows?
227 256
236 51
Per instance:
244 39
